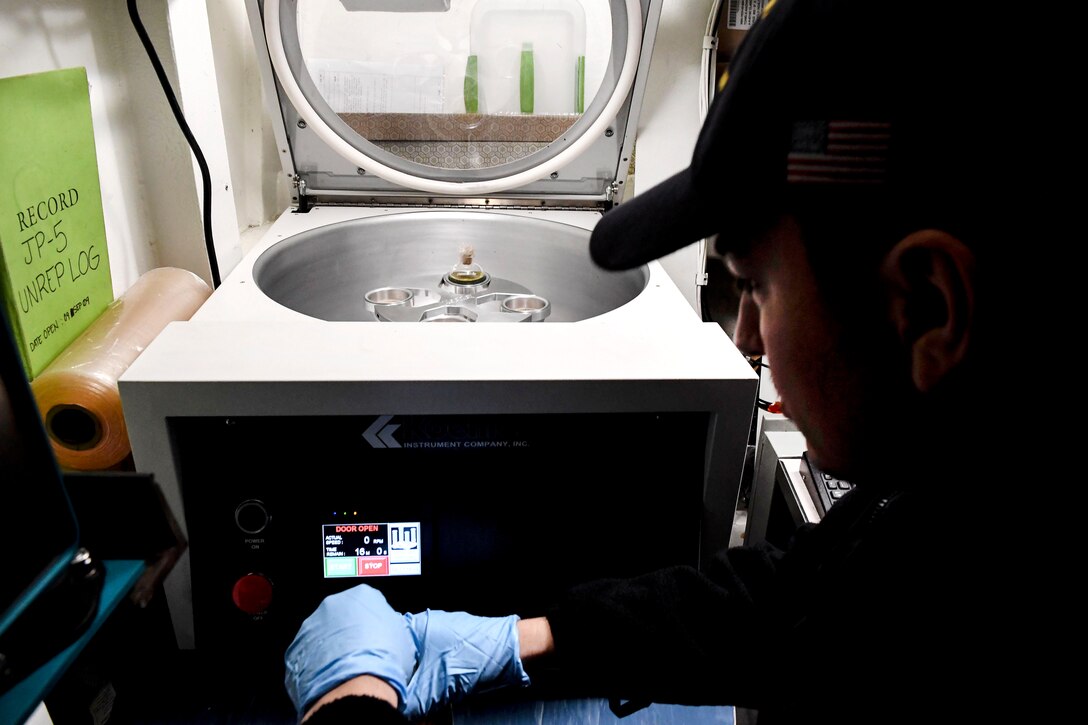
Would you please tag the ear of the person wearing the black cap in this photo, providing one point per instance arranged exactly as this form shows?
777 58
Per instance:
932 281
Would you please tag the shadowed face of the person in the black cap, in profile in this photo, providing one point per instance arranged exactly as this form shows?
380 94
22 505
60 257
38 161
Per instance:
822 384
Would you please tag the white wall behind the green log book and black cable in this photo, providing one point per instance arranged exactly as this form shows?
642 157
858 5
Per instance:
152 194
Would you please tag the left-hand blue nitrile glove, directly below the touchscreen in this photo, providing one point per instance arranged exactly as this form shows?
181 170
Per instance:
351 634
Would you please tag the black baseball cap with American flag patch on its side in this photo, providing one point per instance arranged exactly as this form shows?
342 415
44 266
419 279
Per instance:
855 102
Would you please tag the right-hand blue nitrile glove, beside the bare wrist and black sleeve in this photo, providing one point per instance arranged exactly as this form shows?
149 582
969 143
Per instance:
462 654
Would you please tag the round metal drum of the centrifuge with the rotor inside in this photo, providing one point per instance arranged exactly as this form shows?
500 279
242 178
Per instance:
397 268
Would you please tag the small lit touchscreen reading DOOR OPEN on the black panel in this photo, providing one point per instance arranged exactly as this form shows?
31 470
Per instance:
372 550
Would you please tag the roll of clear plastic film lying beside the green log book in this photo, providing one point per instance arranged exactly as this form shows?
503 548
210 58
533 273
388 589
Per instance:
78 394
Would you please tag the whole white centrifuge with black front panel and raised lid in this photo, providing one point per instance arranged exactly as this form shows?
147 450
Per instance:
313 426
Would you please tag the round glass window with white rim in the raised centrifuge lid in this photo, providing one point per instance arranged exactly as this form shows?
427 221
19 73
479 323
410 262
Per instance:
460 97
